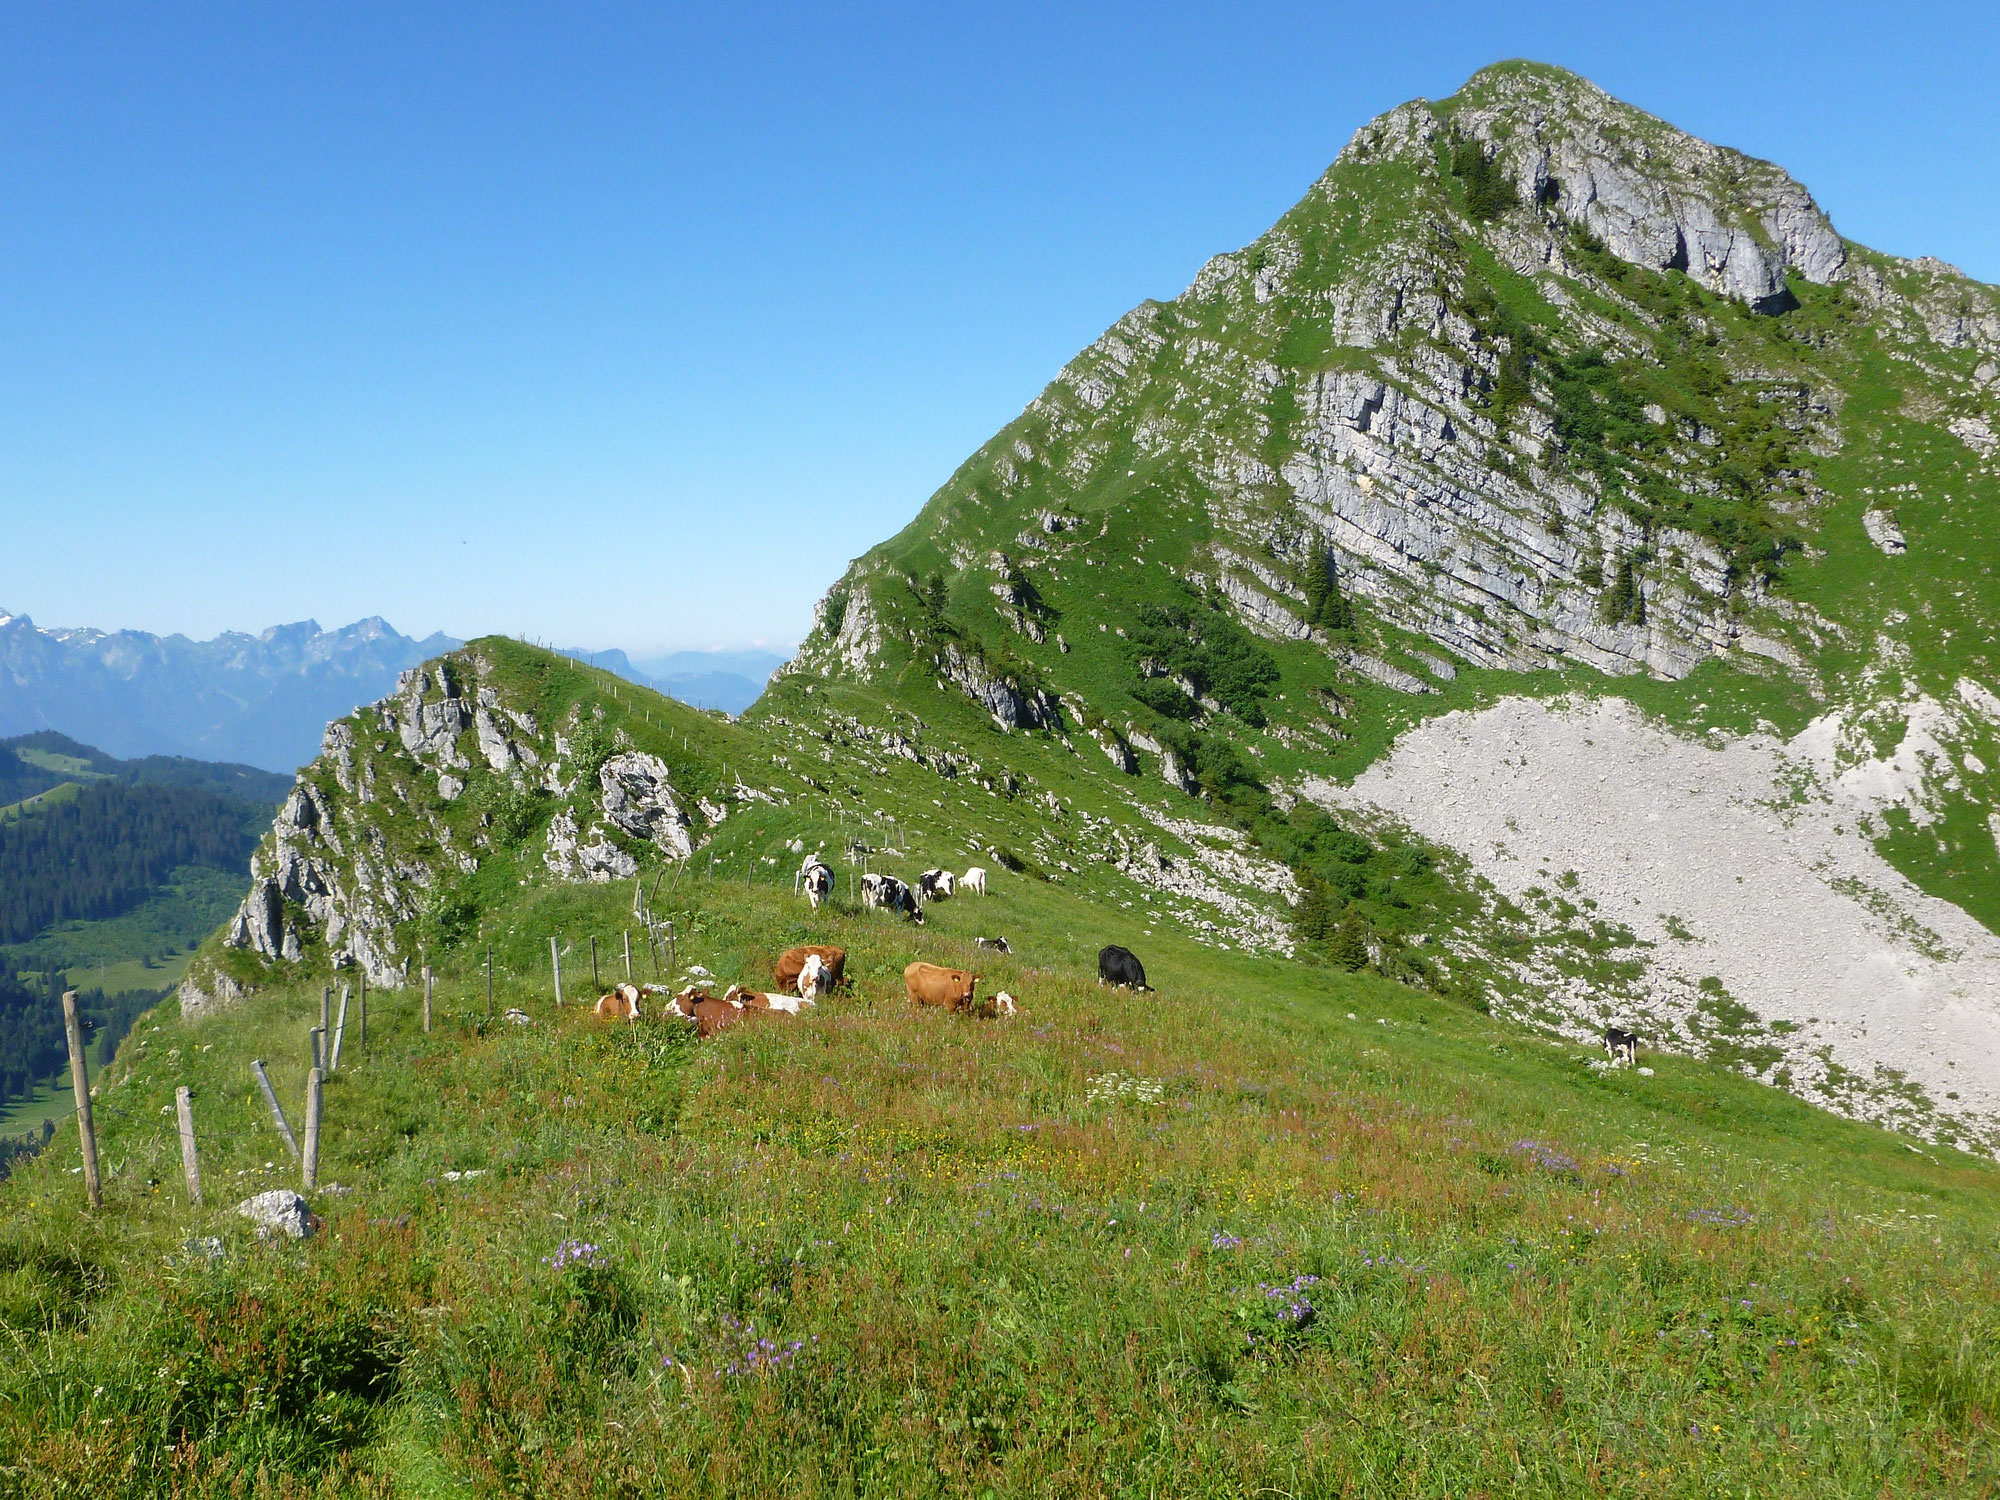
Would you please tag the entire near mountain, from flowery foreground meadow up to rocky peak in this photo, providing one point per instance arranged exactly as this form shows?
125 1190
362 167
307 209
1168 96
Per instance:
1537 591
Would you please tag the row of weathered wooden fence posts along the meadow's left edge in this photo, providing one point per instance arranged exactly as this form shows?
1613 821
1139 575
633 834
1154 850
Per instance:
323 1049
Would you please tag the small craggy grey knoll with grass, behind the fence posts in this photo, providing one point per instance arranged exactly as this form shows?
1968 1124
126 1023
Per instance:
413 795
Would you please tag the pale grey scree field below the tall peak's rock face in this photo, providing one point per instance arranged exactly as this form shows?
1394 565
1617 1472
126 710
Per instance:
1779 893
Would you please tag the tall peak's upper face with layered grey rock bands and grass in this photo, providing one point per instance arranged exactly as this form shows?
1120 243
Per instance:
1441 377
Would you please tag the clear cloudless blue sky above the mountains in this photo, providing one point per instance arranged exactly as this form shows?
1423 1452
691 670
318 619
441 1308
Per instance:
629 327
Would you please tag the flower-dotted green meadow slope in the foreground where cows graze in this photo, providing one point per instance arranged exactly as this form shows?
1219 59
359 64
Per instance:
1271 1227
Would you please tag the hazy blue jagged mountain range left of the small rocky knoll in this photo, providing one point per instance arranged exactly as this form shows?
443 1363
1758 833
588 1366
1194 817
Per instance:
239 699
